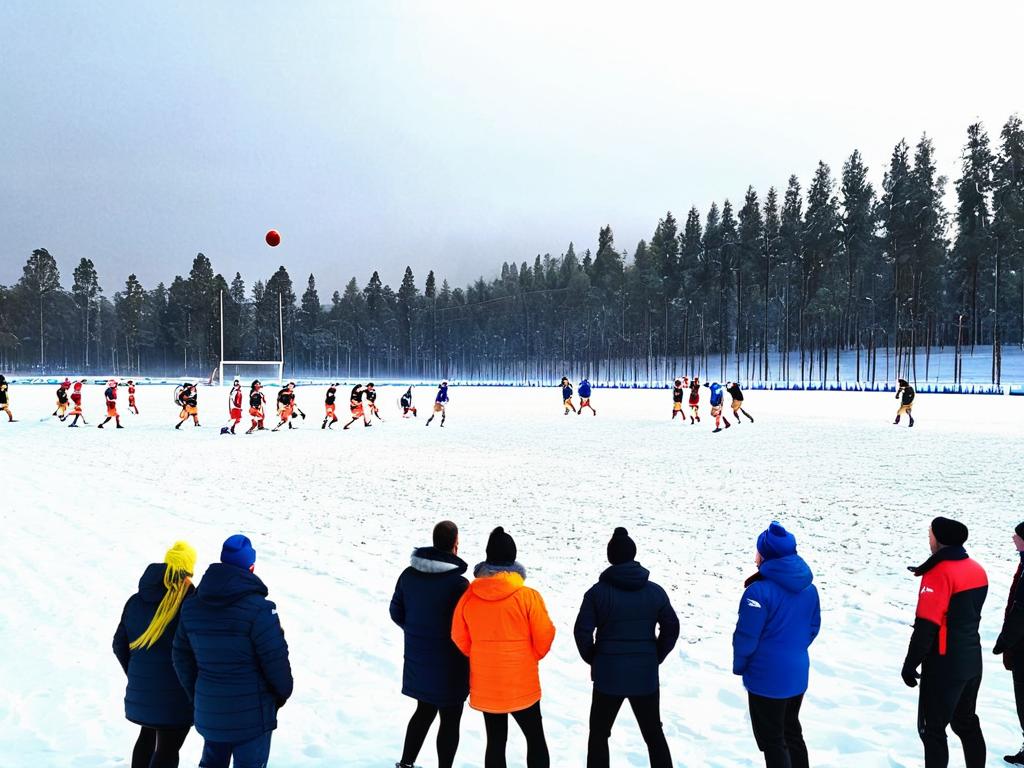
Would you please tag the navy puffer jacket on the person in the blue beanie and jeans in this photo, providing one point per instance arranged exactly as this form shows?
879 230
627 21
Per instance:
232 658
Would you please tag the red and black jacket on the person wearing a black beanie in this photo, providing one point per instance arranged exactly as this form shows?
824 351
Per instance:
946 639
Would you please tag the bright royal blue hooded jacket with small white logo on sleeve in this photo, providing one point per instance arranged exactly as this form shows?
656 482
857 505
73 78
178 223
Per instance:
780 617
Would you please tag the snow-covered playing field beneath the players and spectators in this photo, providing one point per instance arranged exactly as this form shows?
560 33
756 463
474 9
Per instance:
334 517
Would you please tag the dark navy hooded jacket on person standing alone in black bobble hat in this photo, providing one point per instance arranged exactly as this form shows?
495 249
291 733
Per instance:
625 608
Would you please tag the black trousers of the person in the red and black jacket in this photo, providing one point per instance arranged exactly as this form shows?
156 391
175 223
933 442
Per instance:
951 703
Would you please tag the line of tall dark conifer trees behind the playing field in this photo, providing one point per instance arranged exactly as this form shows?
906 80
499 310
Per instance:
797 285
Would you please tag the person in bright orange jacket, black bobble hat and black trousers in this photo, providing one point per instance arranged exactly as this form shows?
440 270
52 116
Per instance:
504 628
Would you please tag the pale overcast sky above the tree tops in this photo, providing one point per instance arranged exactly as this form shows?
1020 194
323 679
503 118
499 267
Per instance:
452 136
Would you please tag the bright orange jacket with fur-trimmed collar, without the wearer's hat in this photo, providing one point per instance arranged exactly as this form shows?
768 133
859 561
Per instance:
504 629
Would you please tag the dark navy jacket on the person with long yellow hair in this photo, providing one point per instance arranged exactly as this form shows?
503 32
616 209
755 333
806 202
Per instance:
154 697
